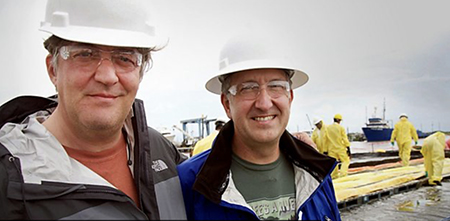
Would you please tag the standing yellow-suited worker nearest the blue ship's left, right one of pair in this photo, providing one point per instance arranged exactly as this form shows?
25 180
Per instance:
339 146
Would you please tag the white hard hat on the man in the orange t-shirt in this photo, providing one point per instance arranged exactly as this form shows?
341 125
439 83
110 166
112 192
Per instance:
104 22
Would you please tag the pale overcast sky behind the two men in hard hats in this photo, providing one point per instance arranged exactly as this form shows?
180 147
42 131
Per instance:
356 53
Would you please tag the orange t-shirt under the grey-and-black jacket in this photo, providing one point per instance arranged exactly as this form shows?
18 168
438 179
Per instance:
111 164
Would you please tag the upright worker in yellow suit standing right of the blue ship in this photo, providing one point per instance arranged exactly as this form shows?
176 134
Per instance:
403 132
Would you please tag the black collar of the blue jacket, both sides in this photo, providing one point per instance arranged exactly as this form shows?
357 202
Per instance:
213 177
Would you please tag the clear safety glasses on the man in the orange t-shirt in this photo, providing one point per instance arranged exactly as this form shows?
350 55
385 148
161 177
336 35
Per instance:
89 58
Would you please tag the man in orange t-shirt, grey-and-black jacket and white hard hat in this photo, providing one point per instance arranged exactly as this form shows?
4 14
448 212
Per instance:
87 152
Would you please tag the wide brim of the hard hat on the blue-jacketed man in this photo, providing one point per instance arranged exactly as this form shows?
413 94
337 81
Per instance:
298 79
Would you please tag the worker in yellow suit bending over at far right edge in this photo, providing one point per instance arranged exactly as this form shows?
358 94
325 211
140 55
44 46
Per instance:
434 155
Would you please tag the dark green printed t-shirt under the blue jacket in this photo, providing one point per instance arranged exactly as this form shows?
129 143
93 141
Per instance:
269 188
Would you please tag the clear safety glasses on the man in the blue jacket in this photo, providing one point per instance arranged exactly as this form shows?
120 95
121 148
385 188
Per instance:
251 90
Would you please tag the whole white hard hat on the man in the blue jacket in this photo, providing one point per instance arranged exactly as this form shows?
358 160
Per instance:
246 52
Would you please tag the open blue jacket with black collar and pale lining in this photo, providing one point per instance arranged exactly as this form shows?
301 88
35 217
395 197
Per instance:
210 194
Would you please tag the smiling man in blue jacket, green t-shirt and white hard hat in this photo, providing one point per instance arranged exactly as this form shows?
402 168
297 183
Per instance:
256 169
